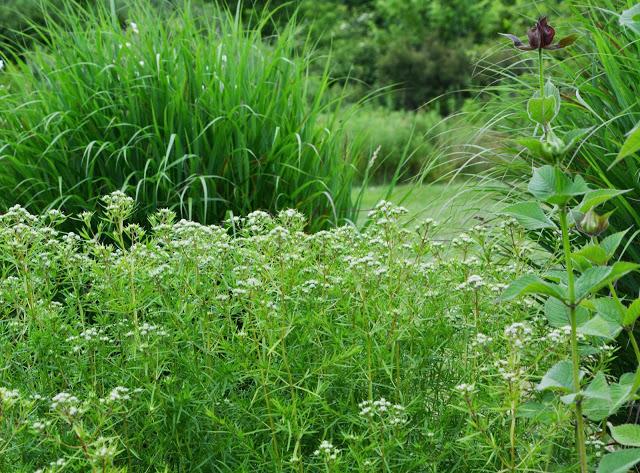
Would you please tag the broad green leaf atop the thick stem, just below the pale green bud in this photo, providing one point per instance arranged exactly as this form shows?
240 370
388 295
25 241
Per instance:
553 186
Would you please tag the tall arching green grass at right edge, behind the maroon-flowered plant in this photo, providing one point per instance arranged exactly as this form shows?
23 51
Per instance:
598 81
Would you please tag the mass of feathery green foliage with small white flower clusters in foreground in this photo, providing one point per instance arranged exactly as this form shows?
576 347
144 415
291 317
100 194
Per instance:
245 347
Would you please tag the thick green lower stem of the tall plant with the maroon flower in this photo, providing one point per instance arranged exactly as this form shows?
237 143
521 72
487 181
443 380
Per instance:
575 356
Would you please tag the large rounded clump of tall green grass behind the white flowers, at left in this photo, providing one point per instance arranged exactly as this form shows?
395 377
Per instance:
197 113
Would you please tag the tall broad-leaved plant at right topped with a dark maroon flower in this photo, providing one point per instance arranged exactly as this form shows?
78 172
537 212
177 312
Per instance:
581 297
